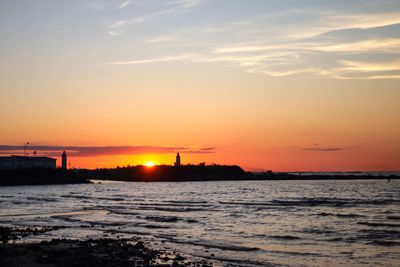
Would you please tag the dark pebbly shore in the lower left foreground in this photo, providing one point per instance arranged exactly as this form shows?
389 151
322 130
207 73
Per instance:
92 252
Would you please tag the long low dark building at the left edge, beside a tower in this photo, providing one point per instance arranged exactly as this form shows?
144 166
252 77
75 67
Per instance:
22 162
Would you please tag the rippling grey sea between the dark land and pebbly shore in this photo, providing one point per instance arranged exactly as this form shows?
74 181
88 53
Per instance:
241 223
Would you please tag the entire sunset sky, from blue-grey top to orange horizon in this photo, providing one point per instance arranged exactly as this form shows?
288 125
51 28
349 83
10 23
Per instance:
295 85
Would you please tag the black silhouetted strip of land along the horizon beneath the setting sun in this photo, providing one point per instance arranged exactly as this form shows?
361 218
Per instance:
168 173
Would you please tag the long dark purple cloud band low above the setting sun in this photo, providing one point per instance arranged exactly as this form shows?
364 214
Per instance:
90 151
